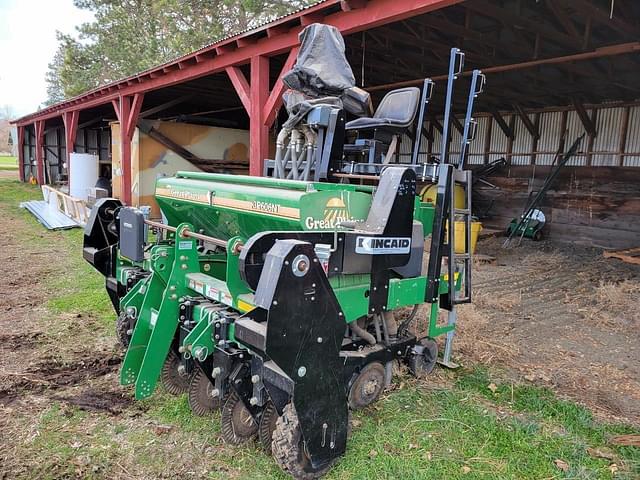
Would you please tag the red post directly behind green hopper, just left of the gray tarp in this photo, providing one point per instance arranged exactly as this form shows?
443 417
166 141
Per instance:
258 131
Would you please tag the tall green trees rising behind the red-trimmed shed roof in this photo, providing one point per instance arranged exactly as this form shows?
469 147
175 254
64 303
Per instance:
129 36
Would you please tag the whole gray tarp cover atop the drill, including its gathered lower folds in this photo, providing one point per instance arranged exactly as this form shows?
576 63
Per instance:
320 75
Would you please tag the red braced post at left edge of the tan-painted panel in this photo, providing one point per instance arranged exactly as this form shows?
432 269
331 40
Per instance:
127 109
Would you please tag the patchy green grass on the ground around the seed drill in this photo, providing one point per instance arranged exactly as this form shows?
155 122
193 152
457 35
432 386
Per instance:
471 423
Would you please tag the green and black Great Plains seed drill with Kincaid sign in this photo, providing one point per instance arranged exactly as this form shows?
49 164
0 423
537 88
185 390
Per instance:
276 299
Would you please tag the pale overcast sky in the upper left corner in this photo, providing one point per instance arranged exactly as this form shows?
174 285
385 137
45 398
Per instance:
27 45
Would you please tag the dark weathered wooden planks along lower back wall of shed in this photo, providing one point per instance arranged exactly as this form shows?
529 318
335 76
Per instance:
598 206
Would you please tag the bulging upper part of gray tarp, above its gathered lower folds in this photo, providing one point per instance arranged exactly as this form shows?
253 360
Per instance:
321 68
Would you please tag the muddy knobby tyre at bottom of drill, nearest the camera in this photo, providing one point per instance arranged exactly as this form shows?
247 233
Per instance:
288 447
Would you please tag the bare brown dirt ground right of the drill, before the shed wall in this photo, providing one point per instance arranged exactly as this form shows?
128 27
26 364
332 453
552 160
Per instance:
562 316
